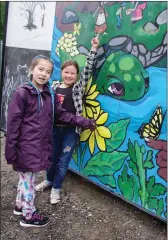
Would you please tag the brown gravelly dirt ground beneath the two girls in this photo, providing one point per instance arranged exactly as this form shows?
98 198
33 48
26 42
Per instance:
86 212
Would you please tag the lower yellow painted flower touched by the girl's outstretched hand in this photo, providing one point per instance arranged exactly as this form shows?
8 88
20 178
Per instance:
99 134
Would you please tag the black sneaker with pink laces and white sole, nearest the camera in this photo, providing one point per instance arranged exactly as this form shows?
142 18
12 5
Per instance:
37 220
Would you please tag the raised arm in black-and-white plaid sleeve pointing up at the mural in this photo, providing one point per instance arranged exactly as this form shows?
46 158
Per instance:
88 69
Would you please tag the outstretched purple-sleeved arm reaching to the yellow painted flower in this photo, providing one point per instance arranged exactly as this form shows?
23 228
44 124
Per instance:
63 115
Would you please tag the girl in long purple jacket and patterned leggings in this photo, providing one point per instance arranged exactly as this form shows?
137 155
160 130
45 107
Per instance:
29 136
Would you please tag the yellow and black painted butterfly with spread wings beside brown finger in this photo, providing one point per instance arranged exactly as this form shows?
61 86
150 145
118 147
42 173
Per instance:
153 128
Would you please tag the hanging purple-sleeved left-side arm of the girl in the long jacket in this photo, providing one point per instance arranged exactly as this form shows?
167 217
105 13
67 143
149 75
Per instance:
15 116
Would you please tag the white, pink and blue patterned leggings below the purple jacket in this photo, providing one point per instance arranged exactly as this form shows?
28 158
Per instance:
26 193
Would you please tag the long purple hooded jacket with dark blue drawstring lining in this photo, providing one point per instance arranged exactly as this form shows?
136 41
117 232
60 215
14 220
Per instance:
29 128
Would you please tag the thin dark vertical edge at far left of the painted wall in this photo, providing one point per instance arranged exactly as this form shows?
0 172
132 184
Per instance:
3 57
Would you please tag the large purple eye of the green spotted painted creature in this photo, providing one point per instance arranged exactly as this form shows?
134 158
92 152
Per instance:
116 88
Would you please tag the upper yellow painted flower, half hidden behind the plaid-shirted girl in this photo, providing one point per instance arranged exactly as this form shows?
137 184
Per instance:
89 108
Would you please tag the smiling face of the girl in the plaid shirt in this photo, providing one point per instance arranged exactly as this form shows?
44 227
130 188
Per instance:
69 75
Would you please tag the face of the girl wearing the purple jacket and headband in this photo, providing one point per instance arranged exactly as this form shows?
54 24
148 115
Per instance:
41 73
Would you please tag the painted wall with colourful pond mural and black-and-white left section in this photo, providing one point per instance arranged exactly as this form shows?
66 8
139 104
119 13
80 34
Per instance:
127 152
